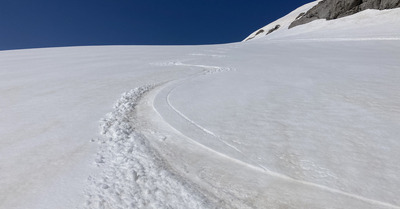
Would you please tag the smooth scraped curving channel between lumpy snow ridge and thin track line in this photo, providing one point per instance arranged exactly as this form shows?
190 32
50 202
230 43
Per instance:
207 167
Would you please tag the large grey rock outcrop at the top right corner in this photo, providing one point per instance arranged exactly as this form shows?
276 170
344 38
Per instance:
333 9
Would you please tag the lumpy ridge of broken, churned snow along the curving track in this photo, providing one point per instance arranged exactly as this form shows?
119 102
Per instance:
133 175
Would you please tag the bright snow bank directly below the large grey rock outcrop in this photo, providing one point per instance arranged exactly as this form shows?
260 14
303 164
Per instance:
365 25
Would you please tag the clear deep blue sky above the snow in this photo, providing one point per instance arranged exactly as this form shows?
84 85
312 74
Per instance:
49 23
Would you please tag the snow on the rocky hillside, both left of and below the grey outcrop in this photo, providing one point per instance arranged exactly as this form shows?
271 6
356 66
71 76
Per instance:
368 24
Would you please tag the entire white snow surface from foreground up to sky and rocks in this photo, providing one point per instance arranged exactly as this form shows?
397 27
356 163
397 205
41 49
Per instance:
306 119
